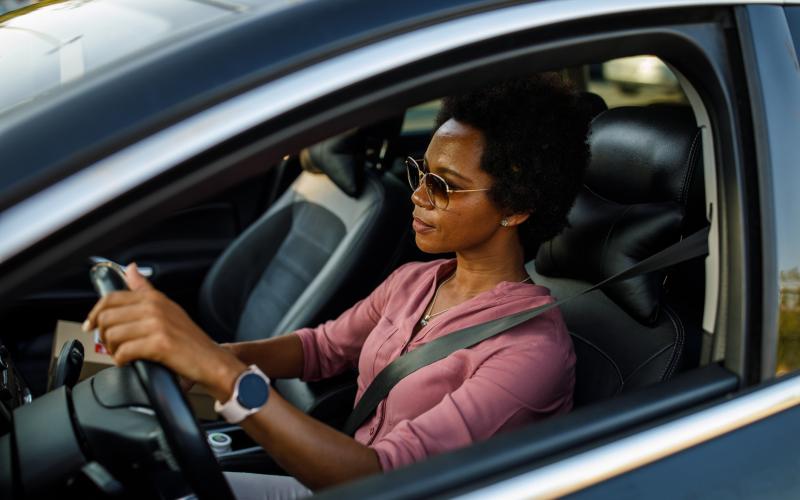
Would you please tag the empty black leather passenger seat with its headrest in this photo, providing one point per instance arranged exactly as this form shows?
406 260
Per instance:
323 245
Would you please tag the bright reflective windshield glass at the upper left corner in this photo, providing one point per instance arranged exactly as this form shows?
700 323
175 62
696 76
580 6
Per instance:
50 44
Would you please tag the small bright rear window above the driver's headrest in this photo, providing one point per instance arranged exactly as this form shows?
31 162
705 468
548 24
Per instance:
635 81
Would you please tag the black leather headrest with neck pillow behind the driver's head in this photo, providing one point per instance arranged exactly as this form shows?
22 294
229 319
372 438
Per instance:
643 186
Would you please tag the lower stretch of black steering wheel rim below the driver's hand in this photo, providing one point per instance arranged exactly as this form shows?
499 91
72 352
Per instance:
195 458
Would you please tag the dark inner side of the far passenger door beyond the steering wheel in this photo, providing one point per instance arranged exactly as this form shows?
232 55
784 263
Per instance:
175 254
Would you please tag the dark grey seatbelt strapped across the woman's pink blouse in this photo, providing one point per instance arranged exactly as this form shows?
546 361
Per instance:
688 248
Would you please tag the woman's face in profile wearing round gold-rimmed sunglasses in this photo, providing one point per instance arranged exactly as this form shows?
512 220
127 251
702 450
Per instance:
470 220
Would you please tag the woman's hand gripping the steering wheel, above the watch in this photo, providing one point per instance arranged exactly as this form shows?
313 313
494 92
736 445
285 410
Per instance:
144 324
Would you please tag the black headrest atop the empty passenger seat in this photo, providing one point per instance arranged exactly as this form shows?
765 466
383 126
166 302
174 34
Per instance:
343 157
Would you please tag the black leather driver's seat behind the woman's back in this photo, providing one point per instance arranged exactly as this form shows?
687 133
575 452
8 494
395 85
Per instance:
643 192
